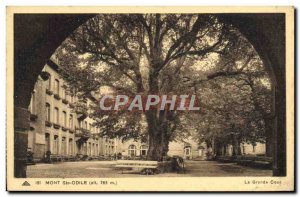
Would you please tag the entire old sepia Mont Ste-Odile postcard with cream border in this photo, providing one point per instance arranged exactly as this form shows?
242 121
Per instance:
150 99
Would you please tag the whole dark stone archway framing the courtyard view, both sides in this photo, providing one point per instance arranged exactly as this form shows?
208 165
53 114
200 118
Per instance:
36 37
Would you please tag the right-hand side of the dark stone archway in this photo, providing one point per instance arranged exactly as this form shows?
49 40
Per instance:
266 32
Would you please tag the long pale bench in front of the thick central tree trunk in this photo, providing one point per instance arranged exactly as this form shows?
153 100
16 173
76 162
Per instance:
148 167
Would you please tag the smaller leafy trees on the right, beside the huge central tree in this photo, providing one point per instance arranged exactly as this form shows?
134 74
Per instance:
237 100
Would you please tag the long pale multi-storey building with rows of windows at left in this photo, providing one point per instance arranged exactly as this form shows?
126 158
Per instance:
58 128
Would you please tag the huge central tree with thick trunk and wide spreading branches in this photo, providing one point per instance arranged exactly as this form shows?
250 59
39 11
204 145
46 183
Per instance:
145 54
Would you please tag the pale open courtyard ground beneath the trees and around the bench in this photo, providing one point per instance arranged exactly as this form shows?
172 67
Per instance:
101 169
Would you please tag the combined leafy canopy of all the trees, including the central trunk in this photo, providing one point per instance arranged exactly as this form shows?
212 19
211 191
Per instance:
169 54
